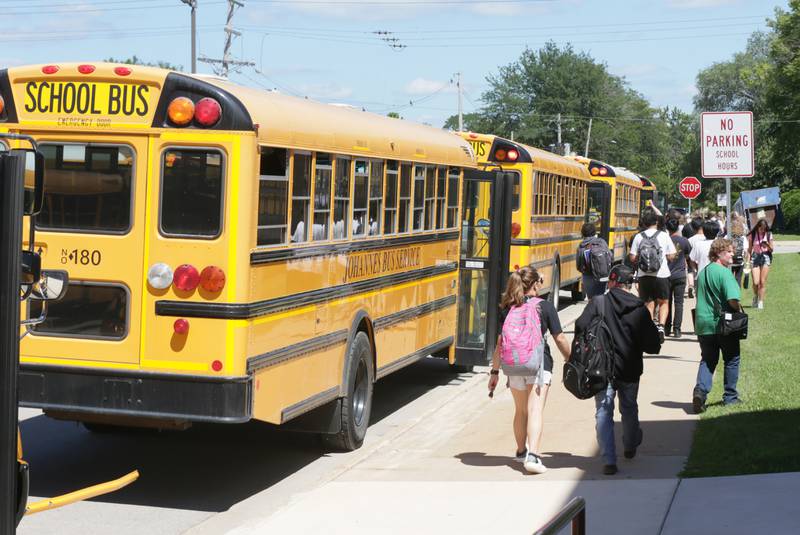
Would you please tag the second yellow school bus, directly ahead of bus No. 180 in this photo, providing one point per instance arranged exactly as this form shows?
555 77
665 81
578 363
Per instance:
547 208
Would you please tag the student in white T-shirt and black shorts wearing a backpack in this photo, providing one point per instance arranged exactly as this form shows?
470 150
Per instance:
652 249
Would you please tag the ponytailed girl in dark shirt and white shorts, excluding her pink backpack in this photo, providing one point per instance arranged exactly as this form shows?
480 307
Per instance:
529 392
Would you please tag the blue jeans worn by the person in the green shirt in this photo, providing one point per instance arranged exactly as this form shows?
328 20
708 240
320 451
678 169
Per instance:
710 347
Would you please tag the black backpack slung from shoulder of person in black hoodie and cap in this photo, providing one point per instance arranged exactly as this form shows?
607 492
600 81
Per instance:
591 363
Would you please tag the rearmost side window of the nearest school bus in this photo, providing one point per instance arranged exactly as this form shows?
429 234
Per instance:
273 196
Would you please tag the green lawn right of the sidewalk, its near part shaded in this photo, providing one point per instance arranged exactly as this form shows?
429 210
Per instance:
761 435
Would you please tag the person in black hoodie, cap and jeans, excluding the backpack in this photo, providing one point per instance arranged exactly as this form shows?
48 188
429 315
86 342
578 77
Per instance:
634 333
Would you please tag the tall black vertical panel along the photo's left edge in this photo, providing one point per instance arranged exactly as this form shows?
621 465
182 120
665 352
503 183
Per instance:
11 195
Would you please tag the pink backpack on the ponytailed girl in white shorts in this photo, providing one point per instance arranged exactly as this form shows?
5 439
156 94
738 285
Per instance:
521 341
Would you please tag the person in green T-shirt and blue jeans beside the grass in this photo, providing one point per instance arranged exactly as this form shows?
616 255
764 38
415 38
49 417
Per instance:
717 293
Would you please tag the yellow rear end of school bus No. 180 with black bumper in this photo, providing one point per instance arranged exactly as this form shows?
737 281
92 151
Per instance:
141 191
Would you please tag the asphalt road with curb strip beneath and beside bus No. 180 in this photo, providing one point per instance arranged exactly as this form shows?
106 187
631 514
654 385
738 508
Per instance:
189 477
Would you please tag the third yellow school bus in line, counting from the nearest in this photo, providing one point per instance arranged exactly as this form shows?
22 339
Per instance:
613 205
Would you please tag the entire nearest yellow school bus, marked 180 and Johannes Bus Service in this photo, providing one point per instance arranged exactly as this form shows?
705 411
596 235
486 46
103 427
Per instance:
234 254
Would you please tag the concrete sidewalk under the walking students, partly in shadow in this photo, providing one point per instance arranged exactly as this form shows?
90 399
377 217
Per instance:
452 472
